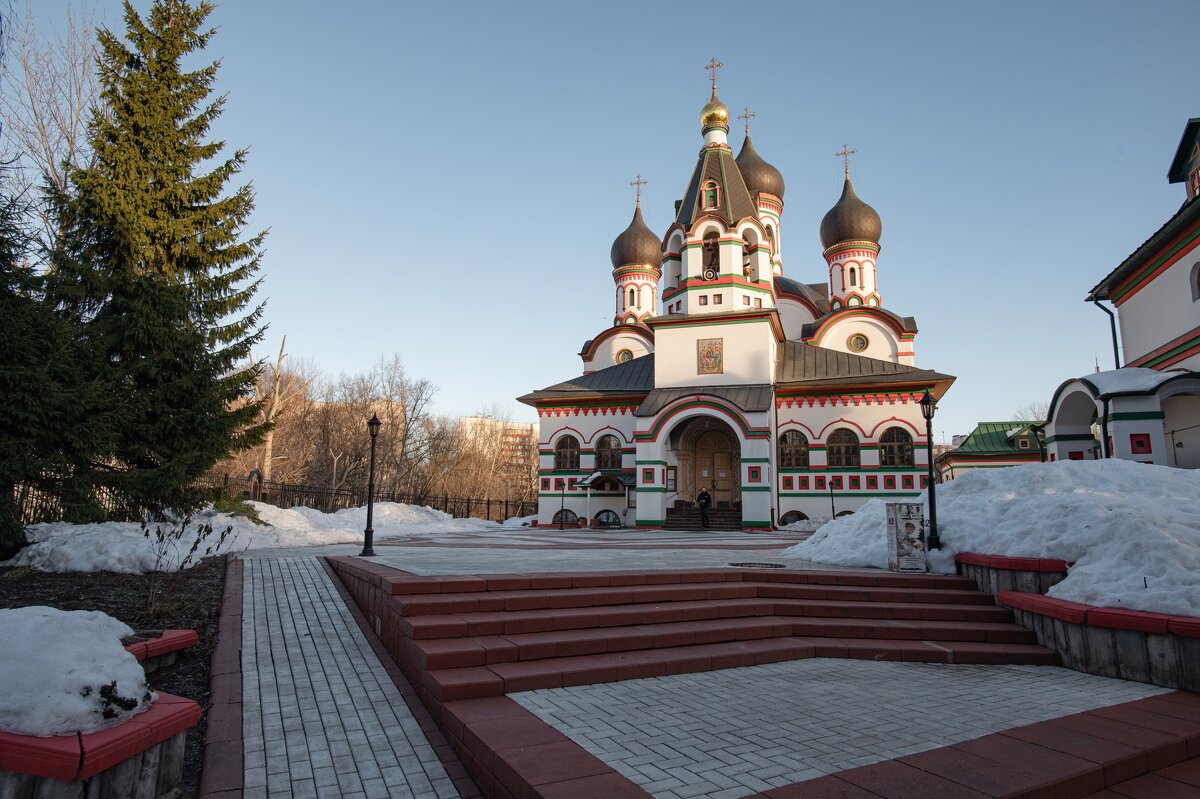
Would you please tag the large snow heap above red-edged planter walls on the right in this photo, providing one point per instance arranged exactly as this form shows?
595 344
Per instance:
1131 530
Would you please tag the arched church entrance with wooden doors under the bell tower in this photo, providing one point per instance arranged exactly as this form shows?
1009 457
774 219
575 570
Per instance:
710 458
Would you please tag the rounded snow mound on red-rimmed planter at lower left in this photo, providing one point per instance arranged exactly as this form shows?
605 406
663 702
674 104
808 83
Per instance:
67 672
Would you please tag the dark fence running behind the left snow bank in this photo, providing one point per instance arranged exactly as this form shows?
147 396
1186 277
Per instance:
34 506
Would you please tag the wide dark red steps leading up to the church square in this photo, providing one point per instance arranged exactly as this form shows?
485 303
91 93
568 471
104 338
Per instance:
477 636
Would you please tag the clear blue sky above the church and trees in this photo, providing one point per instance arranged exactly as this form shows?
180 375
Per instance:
445 181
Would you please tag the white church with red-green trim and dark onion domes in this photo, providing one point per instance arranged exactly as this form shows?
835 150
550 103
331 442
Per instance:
785 400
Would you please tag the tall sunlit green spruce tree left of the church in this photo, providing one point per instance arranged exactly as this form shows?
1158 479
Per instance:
154 265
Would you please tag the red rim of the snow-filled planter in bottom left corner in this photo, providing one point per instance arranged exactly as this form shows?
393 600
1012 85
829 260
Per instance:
83 756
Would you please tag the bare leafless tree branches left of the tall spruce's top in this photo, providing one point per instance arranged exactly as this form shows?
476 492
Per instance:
49 98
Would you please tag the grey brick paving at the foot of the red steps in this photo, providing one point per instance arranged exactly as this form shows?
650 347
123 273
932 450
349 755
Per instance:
735 732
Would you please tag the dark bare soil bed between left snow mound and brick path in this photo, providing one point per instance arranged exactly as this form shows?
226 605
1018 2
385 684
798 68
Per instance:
190 600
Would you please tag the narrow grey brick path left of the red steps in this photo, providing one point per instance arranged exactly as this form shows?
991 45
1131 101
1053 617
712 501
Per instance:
321 717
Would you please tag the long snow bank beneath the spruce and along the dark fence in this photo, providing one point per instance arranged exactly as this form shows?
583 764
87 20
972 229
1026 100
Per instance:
123 546
